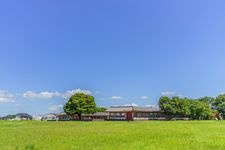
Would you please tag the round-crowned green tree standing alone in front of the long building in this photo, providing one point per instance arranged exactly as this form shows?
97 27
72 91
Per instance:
79 104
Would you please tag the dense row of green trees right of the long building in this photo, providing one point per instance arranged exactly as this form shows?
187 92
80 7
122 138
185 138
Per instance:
204 108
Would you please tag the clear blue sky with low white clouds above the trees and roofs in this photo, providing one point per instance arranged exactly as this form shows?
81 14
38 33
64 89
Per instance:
121 51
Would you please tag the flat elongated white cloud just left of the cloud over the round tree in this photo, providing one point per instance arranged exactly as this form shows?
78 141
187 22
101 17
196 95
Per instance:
40 95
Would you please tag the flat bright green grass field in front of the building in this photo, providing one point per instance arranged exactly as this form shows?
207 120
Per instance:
155 135
